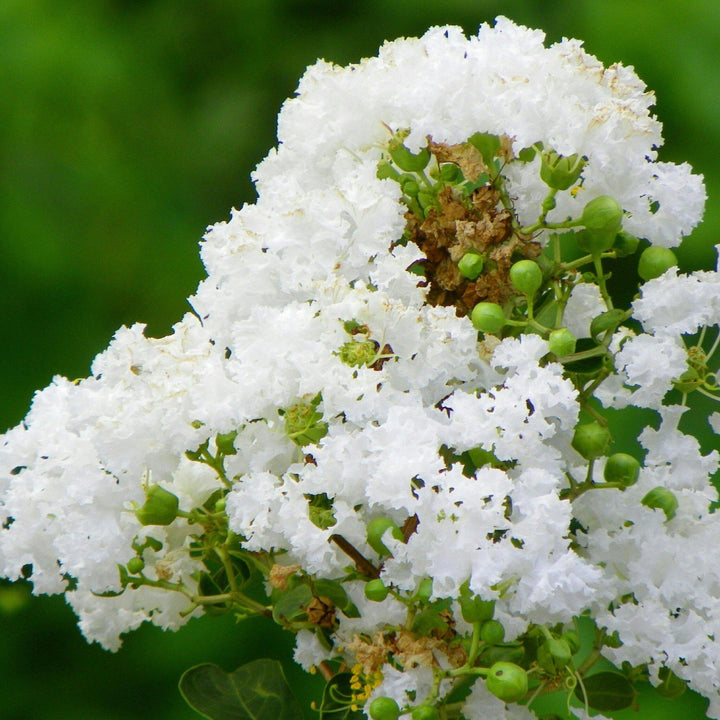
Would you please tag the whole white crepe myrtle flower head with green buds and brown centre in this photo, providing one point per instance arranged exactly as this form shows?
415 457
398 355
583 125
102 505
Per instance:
368 430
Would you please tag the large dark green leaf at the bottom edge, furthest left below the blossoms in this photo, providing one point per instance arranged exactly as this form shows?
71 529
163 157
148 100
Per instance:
255 691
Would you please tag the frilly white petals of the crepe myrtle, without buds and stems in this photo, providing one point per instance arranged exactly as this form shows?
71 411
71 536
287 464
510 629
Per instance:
319 250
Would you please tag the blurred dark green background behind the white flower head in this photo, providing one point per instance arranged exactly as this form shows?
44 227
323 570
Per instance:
128 126
